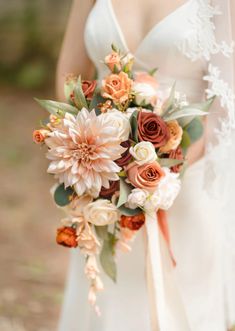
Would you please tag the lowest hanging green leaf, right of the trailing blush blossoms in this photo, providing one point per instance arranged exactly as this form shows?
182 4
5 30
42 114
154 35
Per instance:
107 257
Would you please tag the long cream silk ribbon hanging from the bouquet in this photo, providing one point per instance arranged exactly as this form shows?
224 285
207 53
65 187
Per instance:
167 310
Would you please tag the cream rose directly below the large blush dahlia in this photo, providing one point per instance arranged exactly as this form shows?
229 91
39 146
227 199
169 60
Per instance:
101 212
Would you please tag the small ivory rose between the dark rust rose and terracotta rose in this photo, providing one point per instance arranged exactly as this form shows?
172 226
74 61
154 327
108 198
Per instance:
143 152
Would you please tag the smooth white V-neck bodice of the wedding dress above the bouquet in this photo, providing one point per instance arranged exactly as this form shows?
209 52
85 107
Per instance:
165 45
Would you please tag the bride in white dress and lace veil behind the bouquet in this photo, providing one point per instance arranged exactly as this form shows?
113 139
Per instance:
190 42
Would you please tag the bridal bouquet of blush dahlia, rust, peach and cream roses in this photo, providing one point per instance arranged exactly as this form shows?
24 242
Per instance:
117 150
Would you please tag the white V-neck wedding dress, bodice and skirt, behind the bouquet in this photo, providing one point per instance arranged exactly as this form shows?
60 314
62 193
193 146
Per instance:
195 219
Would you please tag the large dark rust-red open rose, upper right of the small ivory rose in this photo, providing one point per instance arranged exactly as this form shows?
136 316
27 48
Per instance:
151 127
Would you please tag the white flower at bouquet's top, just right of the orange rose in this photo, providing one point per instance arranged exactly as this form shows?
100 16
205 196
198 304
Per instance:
145 94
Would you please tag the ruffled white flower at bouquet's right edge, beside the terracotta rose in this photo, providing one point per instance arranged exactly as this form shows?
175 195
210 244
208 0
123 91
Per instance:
168 189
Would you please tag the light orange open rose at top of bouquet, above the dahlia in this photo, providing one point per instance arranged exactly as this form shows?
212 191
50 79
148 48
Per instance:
117 87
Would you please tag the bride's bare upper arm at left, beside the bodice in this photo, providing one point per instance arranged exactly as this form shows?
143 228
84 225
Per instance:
73 57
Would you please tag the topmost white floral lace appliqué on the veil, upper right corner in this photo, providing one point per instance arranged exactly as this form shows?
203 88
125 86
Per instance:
201 43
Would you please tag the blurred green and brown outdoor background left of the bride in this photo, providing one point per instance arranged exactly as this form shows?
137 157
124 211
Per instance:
33 267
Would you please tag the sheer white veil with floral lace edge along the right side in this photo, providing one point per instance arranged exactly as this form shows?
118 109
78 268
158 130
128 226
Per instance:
215 32
